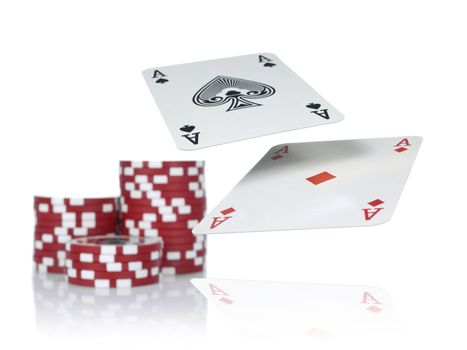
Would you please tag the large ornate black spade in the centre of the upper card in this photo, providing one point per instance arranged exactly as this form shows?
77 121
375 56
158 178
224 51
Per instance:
237 92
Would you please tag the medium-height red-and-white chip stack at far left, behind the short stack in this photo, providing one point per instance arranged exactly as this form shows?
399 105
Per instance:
58 220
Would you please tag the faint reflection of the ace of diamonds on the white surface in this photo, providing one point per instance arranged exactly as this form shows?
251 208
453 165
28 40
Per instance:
299 309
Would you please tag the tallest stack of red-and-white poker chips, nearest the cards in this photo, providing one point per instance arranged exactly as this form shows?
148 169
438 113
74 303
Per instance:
166 199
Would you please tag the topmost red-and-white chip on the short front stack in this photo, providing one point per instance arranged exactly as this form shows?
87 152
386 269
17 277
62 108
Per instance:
115 245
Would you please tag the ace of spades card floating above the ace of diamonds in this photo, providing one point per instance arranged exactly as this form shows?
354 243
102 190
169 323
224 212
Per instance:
214 102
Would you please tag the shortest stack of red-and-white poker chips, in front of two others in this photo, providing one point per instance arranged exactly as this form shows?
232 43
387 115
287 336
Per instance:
113 261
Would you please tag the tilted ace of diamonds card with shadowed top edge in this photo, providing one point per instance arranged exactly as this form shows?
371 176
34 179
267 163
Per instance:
318 185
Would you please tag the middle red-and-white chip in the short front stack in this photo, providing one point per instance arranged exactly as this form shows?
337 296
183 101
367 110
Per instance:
114 267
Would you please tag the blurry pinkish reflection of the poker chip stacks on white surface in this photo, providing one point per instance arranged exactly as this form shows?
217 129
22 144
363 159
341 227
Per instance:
172 310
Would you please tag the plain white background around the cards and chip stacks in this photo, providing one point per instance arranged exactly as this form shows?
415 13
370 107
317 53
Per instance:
73 102
